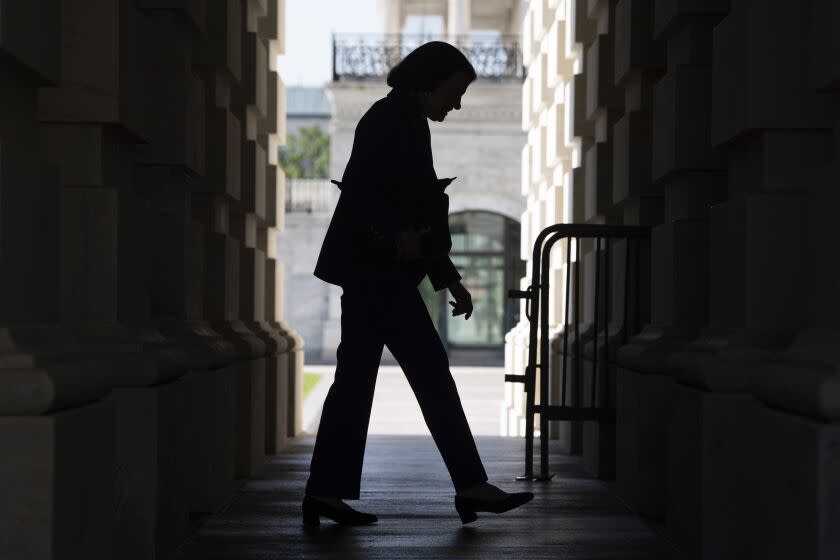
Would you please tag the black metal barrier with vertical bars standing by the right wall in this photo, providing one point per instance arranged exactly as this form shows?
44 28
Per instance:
583 397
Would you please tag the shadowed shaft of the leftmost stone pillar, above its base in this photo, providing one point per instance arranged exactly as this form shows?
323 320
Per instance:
29 287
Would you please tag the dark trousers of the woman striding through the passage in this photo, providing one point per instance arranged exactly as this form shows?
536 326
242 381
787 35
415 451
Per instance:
373 316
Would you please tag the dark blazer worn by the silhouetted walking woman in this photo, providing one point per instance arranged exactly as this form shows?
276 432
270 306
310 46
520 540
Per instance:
389 185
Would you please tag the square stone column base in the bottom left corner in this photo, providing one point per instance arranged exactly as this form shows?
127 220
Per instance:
56 503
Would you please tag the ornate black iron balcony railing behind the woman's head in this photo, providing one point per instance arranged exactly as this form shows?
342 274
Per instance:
371 56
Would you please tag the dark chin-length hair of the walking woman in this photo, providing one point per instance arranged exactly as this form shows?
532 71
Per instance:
424 68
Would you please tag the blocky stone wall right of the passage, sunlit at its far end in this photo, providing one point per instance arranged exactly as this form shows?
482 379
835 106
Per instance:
715 123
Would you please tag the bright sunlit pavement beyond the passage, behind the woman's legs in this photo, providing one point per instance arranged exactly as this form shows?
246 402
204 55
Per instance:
395 409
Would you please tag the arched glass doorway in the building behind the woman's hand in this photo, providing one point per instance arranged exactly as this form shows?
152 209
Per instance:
485 249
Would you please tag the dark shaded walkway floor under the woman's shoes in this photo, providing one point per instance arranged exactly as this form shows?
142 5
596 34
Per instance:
405 482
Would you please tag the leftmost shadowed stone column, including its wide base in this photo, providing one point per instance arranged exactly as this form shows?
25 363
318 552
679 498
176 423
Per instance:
50 410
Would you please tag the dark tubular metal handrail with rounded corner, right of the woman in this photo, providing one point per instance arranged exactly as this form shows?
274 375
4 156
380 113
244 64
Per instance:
537 294
